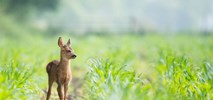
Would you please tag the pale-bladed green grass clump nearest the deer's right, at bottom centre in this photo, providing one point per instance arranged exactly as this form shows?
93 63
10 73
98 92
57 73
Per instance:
106 80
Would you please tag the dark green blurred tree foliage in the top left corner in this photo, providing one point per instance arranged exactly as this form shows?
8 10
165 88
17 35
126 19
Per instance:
25 7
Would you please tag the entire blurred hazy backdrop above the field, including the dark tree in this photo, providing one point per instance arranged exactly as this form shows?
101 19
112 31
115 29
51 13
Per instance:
108 16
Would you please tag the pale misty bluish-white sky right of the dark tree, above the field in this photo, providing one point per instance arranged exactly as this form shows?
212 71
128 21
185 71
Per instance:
130 15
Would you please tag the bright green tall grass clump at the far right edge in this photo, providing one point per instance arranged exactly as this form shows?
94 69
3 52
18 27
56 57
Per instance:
182 79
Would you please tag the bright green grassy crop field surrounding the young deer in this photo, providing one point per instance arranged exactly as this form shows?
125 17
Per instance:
111 67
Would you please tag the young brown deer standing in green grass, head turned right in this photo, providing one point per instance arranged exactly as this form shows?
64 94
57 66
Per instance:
59 71
